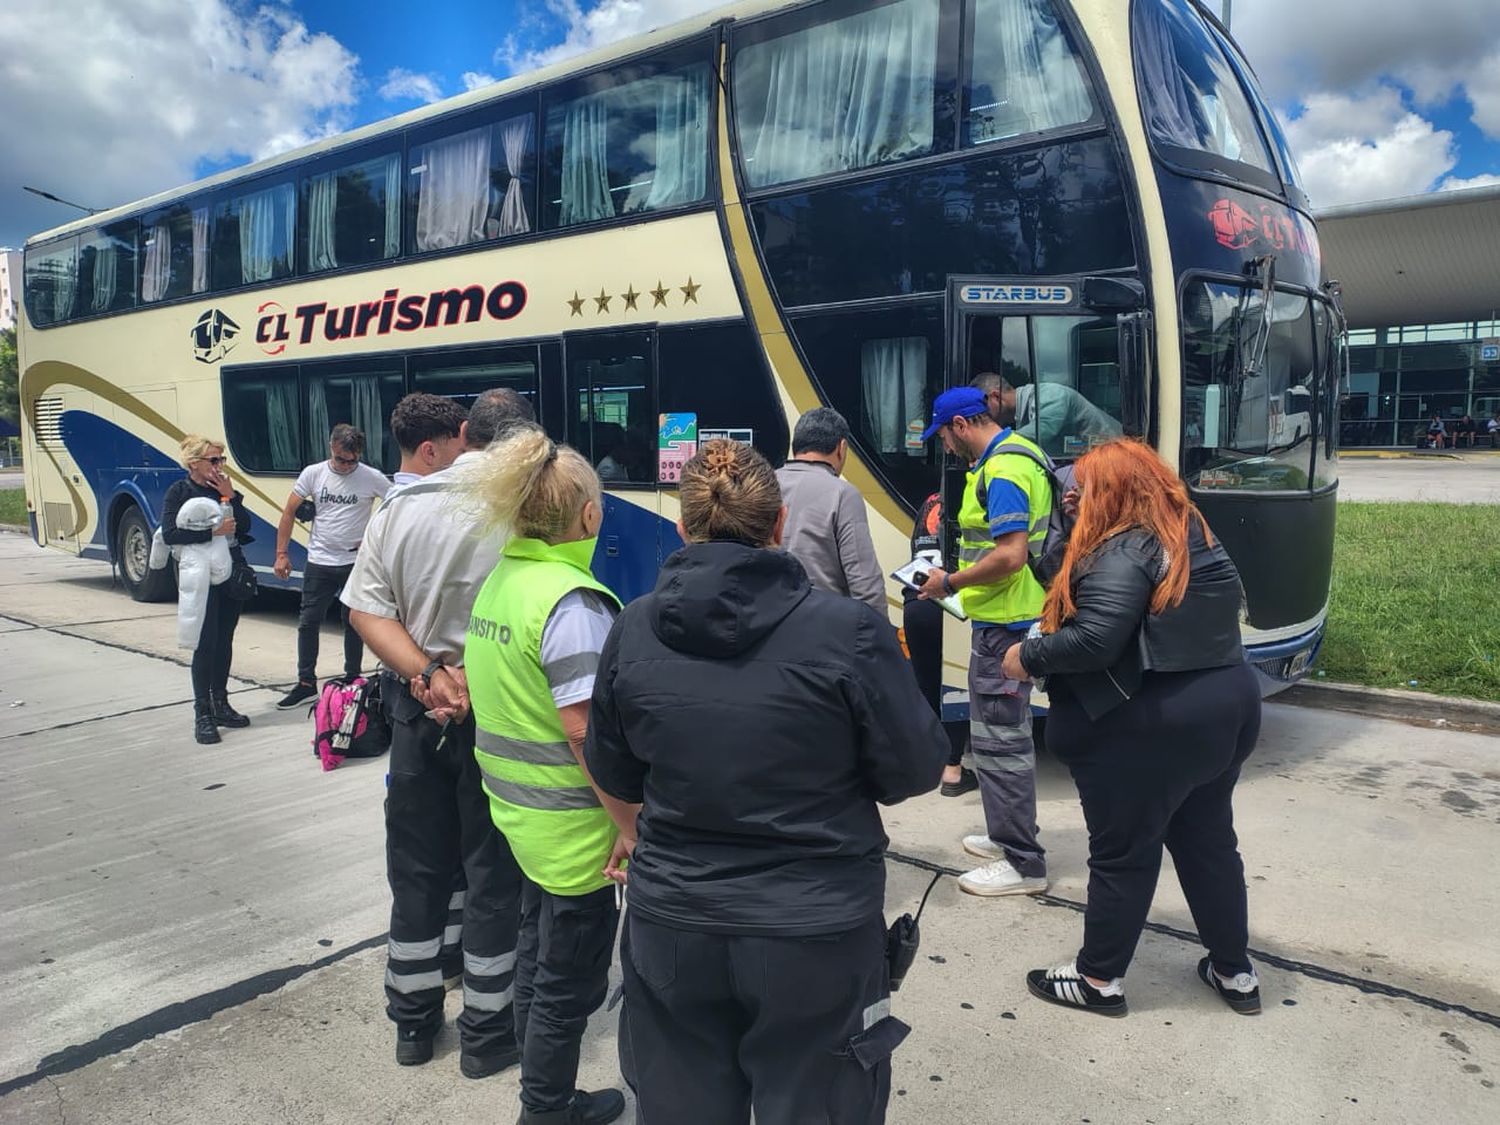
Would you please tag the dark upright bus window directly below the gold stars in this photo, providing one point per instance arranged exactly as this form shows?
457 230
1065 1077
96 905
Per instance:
613 413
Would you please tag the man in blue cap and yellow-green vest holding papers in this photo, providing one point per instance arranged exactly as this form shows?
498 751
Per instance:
1003 520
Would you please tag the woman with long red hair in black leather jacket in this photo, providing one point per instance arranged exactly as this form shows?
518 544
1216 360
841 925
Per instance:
1153 710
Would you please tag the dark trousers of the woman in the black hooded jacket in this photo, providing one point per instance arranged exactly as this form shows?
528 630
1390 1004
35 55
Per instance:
797 1030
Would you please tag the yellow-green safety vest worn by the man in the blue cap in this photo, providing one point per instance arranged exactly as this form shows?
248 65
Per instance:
1019 596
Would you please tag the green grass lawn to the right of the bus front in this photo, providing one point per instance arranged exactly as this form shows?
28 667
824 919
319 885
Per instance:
1415 598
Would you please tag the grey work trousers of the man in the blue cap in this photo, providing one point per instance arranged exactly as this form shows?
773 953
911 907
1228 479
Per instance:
1003 751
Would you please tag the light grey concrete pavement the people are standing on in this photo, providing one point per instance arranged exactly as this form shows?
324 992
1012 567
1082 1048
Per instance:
196 935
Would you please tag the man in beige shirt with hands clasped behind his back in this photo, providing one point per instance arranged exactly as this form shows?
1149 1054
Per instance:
410 596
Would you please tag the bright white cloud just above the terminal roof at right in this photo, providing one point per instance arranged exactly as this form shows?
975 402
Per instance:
1372 148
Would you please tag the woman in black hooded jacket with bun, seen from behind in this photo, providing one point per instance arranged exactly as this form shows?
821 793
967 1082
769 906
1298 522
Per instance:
761 724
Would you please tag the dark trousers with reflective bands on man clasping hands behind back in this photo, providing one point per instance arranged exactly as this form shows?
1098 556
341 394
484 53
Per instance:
437 824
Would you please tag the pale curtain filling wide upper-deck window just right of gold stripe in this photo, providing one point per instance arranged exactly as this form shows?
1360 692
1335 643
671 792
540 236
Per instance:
836 97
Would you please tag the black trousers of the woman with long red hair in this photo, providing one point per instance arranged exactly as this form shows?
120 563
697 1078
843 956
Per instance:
1157 772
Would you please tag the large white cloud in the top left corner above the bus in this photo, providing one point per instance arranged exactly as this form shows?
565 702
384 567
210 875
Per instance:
106 101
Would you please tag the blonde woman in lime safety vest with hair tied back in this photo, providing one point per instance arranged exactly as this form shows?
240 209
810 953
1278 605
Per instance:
533 646
